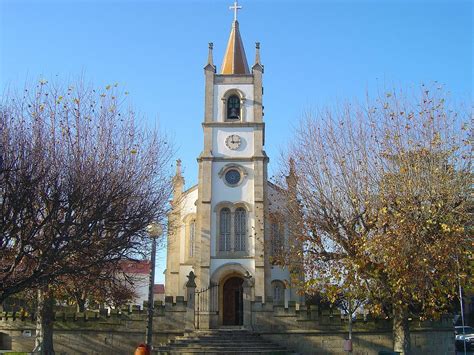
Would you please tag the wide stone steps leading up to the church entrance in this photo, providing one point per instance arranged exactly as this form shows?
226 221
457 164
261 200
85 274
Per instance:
220 341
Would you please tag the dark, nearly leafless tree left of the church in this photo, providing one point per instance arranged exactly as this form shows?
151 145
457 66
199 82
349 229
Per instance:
79 183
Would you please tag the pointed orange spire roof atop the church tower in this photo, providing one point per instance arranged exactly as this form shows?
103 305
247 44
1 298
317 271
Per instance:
235 61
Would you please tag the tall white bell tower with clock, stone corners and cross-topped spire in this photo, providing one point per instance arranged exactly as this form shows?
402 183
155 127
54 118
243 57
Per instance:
232 180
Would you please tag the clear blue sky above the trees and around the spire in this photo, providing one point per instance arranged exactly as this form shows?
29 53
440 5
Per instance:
316 53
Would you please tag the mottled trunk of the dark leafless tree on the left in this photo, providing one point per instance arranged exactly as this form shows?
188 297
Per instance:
44 323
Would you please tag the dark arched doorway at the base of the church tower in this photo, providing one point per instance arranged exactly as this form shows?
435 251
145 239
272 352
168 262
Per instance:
233 302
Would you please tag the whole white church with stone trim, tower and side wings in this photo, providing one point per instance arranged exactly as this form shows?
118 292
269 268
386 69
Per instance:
228 228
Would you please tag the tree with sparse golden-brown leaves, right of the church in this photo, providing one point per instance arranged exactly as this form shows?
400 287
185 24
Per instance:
384 192
